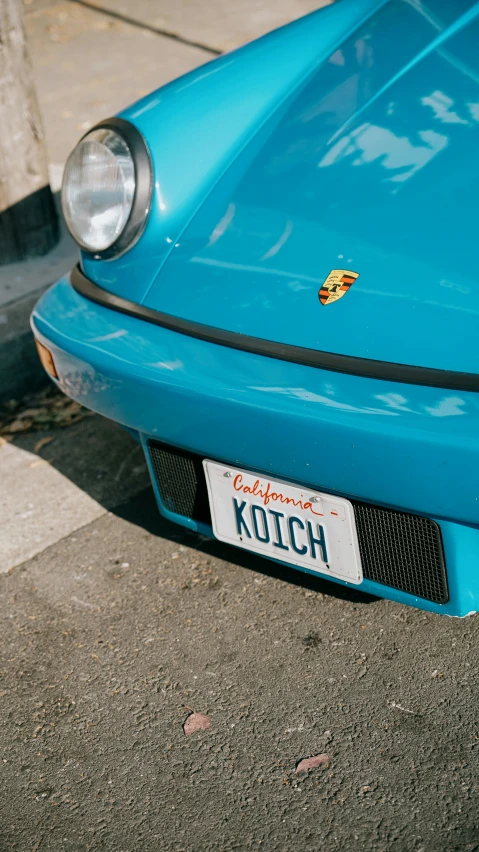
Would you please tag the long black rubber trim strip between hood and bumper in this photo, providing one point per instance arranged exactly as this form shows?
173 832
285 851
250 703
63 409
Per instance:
364 367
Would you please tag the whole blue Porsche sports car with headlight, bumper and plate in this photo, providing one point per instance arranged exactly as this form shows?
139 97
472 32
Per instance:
277 294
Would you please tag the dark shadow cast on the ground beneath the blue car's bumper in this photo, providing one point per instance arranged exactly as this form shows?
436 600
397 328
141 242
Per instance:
105 462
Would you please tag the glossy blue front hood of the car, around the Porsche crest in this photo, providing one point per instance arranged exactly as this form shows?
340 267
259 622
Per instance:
371 168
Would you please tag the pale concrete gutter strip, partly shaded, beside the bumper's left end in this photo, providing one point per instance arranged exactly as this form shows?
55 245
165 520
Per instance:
57 480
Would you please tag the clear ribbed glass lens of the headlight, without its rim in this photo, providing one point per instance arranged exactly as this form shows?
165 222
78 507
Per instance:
98 189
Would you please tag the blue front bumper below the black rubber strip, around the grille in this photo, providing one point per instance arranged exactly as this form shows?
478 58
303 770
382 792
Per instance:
406 447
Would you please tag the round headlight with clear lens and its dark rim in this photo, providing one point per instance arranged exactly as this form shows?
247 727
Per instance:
100 192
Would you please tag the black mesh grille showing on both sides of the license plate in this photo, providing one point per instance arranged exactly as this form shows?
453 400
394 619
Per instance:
399 550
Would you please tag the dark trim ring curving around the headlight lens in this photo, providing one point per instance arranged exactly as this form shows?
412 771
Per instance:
143 170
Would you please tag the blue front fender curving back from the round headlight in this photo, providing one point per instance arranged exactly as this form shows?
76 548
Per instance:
197 125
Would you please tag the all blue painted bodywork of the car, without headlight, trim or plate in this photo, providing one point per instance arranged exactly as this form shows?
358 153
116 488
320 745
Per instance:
346 140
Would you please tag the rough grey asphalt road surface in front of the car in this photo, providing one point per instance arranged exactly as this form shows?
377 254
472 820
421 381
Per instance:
115 633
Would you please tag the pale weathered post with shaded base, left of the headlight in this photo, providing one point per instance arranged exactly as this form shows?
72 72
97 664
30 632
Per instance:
28 220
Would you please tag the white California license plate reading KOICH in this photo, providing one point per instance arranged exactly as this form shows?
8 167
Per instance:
296 525
